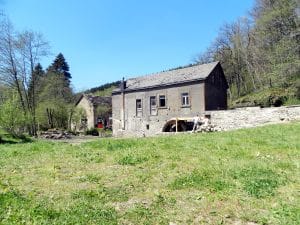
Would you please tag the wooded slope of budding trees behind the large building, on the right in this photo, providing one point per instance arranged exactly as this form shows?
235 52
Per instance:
260 52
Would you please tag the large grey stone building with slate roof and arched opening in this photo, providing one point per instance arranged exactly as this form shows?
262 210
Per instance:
147 105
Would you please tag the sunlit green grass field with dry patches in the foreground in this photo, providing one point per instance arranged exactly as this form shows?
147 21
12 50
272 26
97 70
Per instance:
249 176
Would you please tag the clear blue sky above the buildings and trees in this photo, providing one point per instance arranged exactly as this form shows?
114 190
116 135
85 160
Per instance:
104 41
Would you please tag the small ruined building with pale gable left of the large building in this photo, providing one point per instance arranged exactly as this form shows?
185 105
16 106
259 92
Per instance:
92 112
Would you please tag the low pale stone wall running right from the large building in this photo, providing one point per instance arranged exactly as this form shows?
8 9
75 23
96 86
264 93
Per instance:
253 116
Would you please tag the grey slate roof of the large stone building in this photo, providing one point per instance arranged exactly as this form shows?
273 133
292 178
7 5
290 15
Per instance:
193 73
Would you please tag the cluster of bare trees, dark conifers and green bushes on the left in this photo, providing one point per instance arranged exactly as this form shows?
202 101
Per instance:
31 98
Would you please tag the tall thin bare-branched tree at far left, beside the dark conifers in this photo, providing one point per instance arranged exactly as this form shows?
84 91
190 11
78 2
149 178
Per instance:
19 54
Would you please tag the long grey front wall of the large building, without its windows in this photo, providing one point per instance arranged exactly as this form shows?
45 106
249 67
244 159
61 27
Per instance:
147 124
